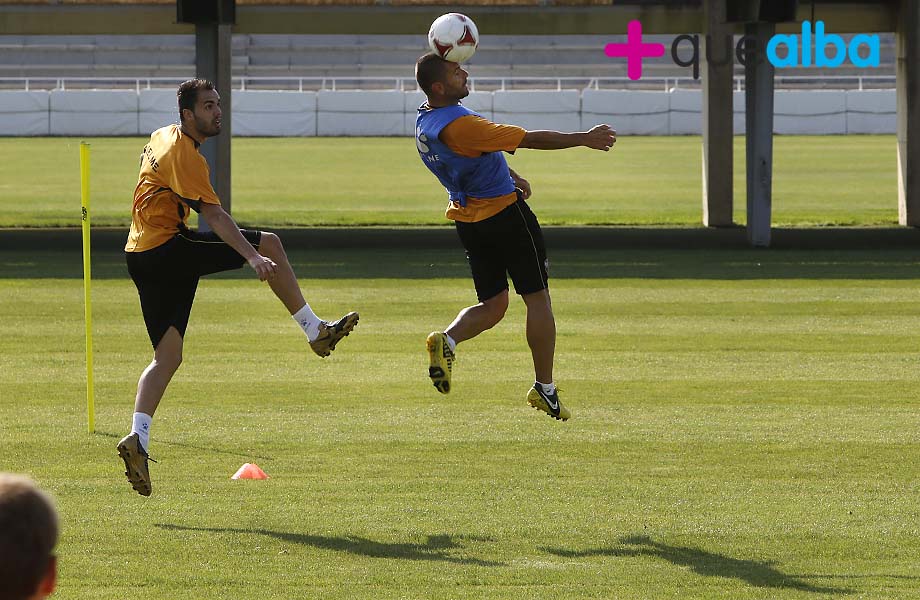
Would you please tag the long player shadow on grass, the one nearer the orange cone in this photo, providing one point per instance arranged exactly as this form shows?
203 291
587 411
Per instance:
435 548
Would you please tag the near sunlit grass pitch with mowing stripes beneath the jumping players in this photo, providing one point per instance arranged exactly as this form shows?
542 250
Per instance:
746 425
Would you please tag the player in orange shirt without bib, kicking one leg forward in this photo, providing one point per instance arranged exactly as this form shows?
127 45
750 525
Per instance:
166 259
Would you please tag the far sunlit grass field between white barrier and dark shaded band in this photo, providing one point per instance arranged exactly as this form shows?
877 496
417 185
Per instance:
820 180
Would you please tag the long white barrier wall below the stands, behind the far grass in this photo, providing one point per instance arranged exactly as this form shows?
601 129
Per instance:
392 112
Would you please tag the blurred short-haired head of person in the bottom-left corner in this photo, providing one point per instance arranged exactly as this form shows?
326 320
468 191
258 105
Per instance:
28 534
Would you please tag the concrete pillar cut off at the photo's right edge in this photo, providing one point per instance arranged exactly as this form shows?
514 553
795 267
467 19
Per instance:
908 72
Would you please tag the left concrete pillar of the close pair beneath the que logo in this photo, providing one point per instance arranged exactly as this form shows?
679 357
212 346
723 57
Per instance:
717 55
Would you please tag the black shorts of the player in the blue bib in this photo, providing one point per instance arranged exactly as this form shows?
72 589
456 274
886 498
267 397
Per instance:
509 243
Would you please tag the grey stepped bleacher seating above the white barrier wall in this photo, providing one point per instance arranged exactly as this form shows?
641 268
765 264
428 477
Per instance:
173 56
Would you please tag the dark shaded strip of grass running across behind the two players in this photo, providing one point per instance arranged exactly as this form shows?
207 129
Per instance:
651 263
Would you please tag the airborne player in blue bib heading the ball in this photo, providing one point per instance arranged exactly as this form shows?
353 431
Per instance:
500 233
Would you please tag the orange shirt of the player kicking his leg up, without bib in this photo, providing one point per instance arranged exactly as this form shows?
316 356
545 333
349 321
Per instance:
173 177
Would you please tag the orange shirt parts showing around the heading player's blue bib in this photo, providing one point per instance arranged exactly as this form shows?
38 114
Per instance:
473 136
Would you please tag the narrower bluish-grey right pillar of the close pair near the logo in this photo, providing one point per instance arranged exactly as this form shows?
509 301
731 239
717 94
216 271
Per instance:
758 100
